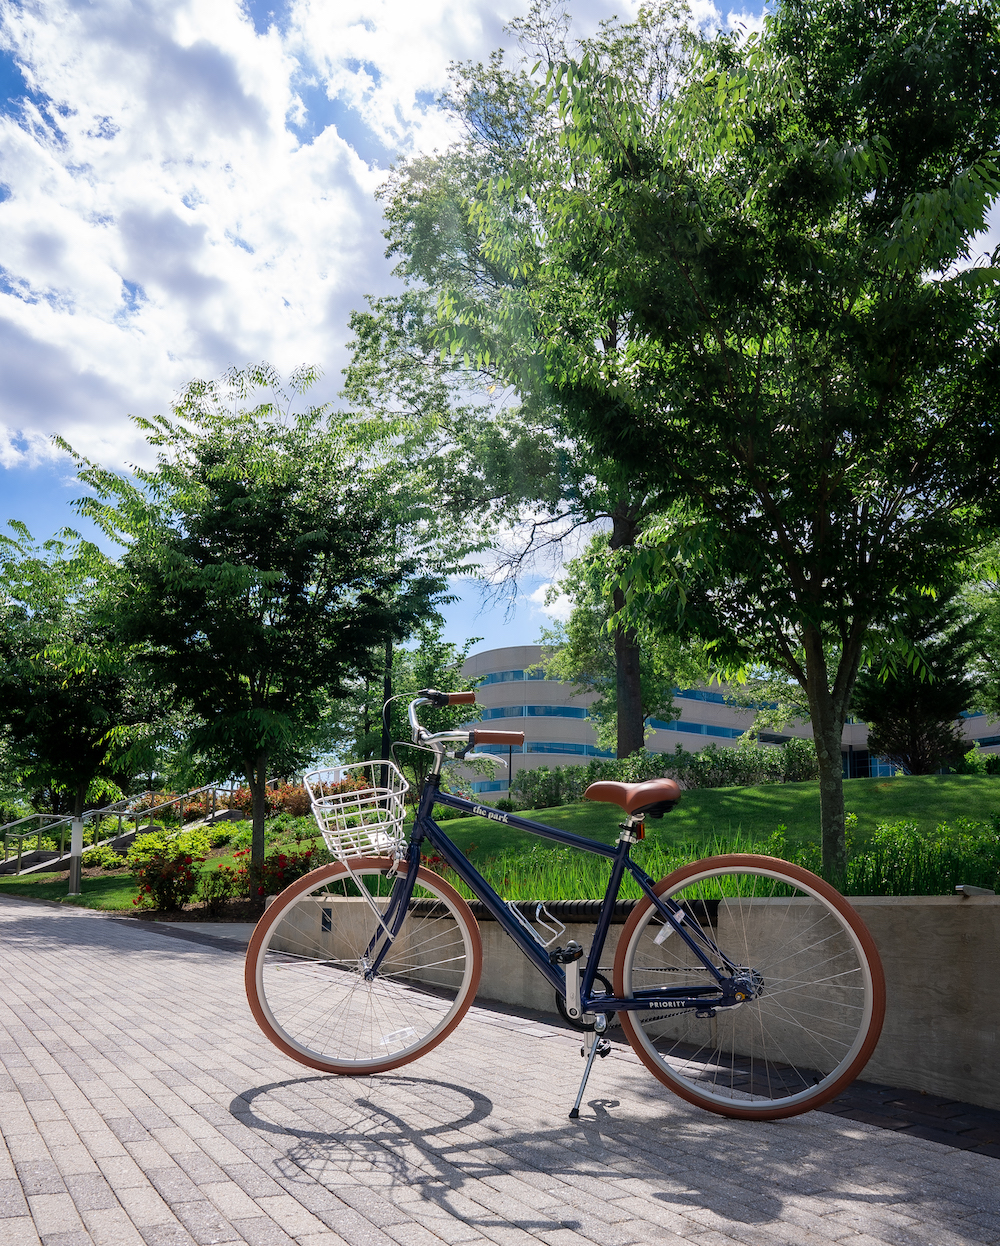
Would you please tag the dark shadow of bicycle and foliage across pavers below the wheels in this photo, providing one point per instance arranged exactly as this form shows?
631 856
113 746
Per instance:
443 1142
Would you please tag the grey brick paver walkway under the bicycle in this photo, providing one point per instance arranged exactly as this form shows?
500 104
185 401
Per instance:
139 1103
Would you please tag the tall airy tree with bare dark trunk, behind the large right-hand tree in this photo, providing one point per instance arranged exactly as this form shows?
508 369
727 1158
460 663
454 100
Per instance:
517 458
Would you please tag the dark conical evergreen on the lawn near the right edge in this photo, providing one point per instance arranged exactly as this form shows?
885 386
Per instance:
912 710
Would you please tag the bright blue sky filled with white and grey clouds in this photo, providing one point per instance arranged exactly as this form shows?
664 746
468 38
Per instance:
190 185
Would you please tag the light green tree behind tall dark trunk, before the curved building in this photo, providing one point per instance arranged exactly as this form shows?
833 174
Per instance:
582 652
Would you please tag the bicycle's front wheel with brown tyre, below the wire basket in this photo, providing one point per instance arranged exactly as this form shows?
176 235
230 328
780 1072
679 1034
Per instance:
309 969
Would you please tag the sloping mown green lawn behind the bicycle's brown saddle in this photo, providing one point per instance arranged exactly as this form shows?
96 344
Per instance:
755 813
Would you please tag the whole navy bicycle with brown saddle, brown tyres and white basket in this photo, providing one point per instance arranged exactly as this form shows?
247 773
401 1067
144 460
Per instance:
744 984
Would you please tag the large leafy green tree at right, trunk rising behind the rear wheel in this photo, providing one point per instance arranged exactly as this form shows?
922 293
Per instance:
810 374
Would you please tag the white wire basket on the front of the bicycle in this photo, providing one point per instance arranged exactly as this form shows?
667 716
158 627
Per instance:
359 808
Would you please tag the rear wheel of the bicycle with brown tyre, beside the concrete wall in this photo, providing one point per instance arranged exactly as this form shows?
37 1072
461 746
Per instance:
815 994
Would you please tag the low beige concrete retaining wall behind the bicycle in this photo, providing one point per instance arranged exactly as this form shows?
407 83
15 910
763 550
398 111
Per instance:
942 961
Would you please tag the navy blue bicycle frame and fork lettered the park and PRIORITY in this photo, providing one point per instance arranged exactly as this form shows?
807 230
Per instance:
425 828
